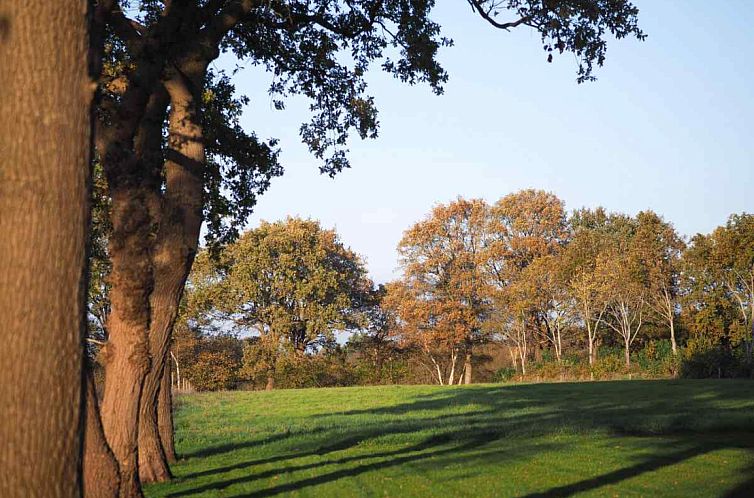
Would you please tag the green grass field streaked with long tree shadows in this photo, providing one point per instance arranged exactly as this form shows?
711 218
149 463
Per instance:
641 438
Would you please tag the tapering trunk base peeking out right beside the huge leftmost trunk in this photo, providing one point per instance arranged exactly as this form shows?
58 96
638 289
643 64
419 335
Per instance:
100 469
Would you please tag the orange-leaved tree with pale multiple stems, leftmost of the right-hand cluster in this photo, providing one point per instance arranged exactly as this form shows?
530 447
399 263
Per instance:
442 262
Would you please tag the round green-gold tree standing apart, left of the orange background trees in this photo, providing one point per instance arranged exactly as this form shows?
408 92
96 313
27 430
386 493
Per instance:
292 282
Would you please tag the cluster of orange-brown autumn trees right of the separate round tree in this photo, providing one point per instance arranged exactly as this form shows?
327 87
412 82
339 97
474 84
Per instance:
524 273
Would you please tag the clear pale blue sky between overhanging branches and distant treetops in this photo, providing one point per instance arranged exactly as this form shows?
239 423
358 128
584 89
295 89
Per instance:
668 126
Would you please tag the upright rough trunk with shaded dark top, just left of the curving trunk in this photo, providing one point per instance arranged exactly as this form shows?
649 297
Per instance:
133 173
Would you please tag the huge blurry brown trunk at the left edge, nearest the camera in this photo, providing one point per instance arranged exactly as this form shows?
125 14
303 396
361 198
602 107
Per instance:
45 139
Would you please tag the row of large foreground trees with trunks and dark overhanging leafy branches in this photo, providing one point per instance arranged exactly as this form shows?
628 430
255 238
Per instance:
127 90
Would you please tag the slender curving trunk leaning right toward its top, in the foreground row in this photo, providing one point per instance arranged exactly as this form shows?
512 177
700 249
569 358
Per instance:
174 251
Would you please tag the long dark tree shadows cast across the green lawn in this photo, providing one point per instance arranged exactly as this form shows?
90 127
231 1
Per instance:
641 409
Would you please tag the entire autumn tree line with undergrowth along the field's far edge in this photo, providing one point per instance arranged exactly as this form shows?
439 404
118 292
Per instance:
521 274
